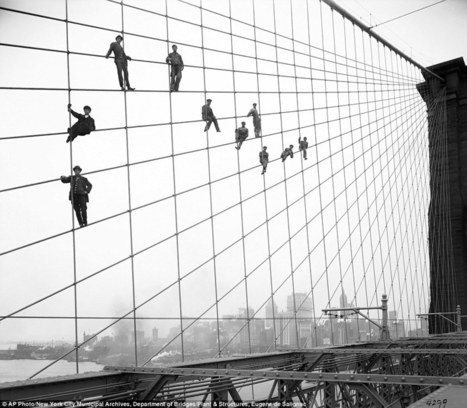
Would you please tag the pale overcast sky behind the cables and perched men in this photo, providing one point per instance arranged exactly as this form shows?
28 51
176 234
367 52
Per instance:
372 162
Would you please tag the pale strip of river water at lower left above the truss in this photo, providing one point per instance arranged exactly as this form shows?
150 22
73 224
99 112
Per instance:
13 370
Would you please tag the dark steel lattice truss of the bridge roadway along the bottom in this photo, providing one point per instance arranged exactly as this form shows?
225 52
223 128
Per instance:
379 374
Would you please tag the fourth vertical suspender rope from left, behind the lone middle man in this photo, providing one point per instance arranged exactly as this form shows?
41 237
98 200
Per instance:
210 190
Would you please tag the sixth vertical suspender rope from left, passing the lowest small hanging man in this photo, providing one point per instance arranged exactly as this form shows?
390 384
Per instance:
271 282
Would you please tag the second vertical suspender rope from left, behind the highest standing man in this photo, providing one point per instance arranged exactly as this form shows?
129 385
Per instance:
130 214
